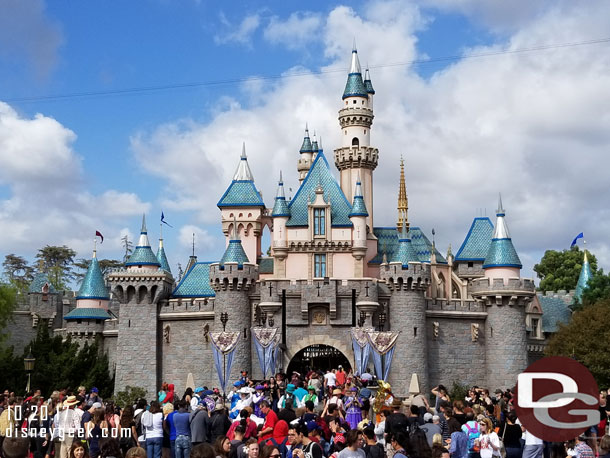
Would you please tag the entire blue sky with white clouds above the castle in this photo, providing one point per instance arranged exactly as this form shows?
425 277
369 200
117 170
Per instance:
156 98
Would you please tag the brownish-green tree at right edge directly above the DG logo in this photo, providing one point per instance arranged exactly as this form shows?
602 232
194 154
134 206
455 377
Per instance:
585 338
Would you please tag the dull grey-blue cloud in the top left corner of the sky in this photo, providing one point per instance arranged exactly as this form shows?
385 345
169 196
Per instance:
26 30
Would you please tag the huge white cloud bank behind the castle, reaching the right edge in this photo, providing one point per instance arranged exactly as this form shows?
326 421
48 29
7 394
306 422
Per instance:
534 126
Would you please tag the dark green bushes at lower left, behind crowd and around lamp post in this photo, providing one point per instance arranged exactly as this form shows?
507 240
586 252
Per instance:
59 364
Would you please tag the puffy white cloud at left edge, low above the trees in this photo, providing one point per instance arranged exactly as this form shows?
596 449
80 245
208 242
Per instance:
47 196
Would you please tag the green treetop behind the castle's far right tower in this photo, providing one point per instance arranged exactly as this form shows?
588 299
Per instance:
560 269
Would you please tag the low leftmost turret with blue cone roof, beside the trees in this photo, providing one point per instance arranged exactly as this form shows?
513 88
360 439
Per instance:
87 319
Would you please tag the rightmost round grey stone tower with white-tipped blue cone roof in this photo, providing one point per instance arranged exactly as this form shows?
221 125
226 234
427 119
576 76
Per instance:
506 296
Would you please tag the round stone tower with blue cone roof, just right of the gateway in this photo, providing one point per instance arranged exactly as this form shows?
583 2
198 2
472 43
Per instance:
408 279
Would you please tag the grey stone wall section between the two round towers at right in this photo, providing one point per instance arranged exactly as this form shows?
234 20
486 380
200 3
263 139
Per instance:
453 356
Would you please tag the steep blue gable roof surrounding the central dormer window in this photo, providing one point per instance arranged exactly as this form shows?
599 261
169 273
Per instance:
339 206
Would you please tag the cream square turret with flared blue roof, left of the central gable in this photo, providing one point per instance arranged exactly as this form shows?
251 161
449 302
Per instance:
243 203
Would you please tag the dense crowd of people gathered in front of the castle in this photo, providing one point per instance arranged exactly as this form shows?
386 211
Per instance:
314 415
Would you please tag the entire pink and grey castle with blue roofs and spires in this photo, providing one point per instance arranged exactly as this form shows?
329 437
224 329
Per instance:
334 289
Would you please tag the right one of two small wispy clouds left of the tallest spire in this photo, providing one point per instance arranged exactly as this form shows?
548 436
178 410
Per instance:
297 31
